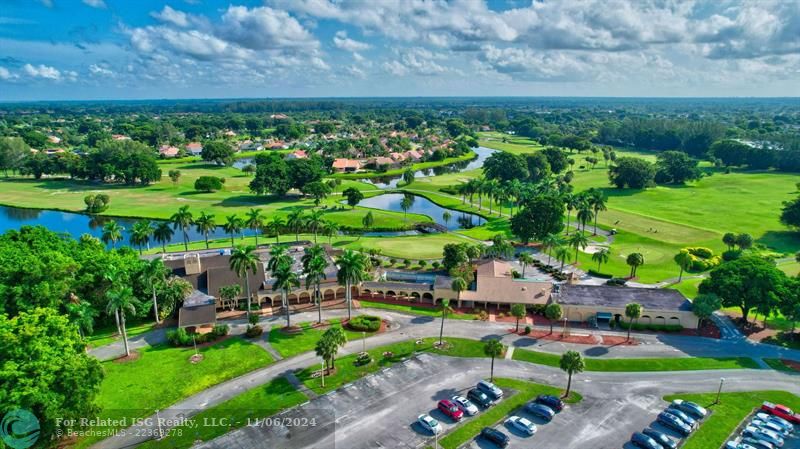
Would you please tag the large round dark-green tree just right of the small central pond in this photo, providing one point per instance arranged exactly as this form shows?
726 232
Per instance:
538 217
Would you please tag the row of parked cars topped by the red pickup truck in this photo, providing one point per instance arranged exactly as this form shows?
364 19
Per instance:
768 428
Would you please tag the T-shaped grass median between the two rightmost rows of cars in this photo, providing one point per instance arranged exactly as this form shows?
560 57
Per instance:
726 416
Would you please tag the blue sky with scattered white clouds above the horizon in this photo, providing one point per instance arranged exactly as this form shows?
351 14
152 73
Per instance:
123 49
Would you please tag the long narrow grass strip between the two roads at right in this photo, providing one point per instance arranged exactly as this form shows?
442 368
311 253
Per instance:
641 364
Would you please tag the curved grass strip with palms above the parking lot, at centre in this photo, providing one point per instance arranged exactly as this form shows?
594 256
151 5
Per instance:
347 371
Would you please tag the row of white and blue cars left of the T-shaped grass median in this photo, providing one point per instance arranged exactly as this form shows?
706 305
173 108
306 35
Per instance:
681 416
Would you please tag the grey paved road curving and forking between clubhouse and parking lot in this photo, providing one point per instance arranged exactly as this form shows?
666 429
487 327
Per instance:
405 327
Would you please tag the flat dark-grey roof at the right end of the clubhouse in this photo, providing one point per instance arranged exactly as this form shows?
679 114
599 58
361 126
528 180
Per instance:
608 296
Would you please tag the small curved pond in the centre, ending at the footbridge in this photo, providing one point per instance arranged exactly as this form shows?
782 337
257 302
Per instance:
424 206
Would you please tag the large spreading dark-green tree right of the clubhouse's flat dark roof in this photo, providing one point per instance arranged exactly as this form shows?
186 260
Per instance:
745 283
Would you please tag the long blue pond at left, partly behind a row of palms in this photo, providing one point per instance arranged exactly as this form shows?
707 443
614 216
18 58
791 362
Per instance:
76 224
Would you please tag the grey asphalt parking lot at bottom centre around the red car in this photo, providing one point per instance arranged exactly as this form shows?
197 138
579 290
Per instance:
380 411
